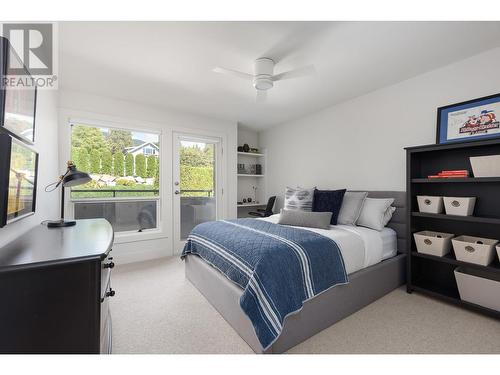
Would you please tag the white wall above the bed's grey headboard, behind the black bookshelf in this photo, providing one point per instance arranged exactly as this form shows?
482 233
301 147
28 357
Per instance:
359 144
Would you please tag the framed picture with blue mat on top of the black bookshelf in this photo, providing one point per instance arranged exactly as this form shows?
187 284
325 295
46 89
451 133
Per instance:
467 121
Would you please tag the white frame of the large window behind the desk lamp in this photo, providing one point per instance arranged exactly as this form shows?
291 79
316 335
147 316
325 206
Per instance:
126 236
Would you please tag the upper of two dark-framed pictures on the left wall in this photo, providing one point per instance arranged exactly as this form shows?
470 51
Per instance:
17 102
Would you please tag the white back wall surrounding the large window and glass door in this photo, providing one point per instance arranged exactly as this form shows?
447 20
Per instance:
78 105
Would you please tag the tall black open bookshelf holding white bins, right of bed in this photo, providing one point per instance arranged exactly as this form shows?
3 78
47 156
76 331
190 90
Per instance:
432 275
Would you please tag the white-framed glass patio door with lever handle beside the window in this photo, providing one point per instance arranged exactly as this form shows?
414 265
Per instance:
196 184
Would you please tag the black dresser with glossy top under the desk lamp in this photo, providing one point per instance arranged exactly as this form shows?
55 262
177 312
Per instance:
55 285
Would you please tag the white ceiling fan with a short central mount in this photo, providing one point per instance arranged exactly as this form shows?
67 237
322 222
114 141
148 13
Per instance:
263 78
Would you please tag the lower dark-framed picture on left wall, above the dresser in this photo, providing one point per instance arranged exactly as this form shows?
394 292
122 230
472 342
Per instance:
18 178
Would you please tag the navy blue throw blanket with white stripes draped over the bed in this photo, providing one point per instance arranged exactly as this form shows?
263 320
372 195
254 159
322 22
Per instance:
278 267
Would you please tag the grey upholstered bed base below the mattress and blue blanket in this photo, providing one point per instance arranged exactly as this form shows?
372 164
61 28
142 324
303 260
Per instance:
365 286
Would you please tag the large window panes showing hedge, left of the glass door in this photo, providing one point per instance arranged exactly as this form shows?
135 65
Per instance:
125 181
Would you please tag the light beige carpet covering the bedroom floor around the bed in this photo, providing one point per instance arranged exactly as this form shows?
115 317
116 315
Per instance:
156 310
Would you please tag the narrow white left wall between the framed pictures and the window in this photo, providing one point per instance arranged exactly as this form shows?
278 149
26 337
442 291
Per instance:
45 141
